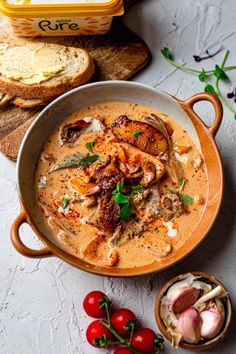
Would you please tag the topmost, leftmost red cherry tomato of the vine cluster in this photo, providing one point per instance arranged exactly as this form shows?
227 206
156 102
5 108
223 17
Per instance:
92 304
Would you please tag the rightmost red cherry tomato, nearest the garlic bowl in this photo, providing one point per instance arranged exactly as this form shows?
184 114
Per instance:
144 341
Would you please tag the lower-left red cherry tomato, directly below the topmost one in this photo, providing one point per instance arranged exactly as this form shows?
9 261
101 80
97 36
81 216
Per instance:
95 331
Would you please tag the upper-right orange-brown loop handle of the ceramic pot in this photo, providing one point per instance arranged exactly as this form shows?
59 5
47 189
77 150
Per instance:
205 96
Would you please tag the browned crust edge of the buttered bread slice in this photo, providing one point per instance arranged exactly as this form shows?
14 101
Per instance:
46 90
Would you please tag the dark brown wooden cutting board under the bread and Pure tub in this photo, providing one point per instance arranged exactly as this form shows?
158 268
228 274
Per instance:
118 55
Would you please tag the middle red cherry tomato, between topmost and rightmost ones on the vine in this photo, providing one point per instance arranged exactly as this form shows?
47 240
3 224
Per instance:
120 319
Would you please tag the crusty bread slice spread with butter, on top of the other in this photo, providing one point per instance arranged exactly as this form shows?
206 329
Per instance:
42 70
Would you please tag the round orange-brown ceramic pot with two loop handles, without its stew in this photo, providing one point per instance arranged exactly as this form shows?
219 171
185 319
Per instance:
55 113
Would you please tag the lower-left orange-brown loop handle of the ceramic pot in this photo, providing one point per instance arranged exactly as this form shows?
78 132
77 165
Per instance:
18 244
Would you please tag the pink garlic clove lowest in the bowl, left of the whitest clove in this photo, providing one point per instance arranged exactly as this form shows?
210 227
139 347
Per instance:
189 325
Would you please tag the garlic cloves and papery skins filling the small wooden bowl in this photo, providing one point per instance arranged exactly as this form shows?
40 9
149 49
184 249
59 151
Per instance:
191 309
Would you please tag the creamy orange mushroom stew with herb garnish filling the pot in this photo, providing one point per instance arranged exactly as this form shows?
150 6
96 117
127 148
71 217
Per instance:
164 213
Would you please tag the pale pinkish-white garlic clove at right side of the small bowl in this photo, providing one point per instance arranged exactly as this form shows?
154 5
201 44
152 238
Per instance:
212 320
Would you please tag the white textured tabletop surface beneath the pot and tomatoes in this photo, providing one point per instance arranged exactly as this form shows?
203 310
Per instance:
40 300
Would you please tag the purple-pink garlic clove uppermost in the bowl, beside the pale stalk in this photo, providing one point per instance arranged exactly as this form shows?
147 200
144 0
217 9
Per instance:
183 298
